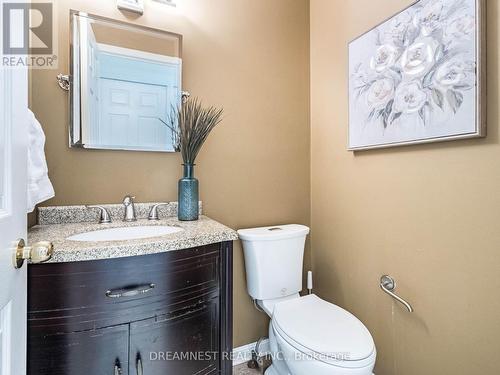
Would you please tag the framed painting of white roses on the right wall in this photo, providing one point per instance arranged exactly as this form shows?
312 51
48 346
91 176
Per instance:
417 77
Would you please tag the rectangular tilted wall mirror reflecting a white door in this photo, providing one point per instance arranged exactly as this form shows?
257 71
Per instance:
124 81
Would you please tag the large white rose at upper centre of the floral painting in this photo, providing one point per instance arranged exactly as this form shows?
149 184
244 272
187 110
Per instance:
419 58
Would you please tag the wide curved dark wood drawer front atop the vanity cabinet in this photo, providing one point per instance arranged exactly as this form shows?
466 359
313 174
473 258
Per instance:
133 288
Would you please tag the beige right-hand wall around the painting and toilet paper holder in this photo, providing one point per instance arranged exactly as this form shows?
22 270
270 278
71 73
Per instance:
428 215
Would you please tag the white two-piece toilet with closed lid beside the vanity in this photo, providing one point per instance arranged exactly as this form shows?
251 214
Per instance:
308 335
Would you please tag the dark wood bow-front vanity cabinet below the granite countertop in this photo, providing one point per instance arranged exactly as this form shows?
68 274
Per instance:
160 314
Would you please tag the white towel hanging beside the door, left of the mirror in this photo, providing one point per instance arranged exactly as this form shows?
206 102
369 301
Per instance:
39 186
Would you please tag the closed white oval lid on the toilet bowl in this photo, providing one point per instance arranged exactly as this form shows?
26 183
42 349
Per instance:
324 328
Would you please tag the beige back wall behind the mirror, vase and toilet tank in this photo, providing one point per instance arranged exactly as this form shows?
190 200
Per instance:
252 58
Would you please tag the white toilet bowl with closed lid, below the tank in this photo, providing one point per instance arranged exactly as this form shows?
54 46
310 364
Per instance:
311 336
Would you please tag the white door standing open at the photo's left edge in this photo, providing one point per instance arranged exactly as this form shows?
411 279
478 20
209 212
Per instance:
13 184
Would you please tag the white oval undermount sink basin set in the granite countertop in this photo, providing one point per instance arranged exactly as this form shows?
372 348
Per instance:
125 233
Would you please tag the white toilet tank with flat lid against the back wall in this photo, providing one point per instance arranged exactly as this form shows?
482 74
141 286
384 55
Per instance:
274 259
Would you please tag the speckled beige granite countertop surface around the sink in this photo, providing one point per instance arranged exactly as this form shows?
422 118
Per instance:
196 233
